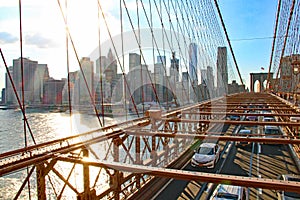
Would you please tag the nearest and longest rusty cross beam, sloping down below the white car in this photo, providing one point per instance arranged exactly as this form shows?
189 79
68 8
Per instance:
273 184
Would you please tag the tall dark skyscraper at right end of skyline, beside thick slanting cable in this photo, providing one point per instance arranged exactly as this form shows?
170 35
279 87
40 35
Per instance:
222 71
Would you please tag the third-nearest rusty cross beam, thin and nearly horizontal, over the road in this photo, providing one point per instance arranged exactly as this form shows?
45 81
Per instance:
251 123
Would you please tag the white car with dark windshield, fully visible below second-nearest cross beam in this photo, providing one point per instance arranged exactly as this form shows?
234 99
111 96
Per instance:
207 155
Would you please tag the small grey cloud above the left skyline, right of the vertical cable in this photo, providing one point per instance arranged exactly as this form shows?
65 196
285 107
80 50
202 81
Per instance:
39 41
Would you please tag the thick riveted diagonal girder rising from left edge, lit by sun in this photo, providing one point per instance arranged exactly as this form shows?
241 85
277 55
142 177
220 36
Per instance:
36 156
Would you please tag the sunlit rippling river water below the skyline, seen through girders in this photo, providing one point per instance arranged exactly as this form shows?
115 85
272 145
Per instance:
45 126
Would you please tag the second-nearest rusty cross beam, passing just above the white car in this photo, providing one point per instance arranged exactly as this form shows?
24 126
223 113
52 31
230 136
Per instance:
279 140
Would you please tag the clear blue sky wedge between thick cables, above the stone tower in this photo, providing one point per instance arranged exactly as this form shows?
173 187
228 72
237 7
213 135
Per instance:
250 26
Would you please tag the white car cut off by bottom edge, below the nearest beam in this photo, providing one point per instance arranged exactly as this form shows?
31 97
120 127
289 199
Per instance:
223 192
